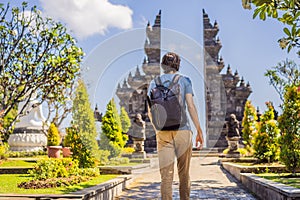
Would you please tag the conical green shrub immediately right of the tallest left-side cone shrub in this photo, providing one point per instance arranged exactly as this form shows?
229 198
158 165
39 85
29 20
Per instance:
111 137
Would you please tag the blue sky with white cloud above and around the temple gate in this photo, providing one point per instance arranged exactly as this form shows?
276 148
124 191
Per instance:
249 46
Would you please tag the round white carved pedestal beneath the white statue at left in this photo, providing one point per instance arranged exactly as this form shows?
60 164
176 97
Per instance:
27 140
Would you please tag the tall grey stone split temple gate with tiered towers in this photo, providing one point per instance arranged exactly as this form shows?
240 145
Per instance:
225 93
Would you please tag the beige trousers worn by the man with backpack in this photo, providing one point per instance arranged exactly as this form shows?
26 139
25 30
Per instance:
171 144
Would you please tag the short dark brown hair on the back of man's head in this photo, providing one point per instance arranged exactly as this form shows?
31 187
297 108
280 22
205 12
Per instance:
170 62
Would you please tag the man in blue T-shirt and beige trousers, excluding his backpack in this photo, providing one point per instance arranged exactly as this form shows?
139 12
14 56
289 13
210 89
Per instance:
178 142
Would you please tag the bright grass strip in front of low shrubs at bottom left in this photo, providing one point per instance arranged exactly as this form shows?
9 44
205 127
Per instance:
8 185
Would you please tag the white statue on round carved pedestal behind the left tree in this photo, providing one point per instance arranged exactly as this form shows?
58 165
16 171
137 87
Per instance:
28 134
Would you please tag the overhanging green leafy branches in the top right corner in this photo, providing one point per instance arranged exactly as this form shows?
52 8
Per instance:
285 11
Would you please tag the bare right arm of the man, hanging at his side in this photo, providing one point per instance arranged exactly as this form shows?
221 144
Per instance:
194 116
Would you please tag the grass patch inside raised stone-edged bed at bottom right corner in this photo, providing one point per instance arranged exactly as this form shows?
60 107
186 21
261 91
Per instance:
283 178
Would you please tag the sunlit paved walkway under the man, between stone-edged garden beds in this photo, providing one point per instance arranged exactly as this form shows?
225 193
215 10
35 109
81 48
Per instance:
209 181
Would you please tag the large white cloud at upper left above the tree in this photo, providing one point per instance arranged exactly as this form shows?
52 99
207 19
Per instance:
89 17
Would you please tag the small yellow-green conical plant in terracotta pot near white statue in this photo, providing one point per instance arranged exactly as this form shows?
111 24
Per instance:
53 141
